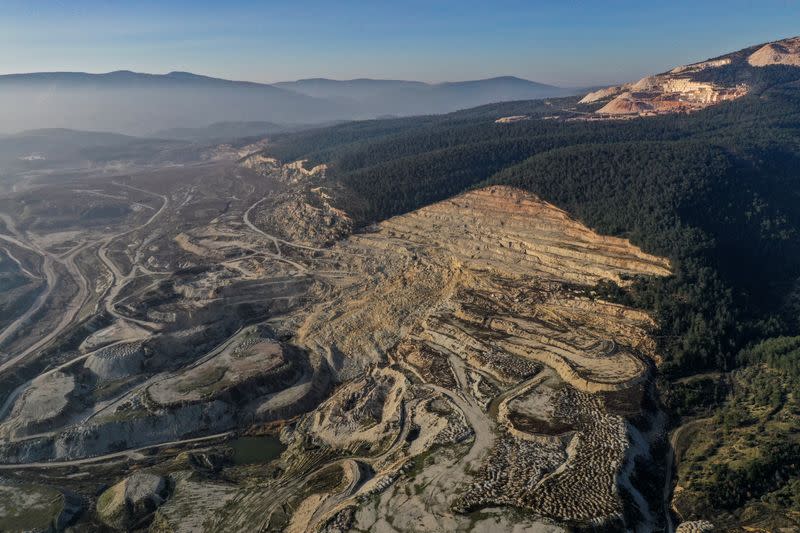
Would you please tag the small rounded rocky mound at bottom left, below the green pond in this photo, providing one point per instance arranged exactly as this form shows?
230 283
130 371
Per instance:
128 503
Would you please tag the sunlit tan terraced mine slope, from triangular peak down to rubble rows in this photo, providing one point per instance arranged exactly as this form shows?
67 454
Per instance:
504 380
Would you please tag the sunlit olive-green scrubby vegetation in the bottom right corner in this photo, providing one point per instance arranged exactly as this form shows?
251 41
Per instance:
745 460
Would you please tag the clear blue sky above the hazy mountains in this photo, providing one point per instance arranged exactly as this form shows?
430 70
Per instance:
565 42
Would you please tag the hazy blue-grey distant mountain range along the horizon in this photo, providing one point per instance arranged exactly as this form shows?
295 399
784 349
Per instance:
142 104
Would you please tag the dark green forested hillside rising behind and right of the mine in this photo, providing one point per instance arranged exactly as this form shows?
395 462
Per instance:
717 191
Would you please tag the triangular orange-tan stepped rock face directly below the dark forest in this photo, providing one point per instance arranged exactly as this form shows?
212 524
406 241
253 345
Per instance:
504 229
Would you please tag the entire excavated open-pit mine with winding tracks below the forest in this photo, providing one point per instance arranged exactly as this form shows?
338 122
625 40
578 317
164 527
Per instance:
213 347
